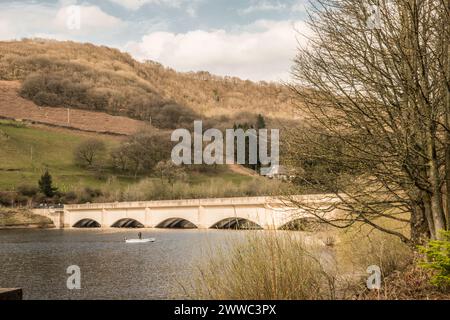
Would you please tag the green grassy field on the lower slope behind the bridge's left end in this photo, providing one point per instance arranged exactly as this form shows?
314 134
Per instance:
53 148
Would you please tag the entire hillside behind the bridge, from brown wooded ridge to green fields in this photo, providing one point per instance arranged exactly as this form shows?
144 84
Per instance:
105 94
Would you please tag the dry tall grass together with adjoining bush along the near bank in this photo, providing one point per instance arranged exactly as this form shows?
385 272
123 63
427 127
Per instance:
297 265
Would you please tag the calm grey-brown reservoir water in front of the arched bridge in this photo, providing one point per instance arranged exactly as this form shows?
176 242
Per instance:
37 260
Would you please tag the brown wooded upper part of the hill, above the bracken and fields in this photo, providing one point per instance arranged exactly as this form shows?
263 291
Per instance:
84 76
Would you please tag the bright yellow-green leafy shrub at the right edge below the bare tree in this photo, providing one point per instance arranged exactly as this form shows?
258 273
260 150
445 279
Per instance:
437 258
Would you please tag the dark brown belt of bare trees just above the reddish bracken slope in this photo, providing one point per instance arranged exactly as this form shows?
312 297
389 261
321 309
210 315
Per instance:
84 90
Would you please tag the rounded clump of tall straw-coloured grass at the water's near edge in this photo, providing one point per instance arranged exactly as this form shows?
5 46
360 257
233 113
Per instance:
264 265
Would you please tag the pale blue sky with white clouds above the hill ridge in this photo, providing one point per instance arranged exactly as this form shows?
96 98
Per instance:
250 39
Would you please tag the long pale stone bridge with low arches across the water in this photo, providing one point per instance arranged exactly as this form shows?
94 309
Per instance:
222 213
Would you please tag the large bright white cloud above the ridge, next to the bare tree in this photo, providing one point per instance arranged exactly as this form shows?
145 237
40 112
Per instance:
261 51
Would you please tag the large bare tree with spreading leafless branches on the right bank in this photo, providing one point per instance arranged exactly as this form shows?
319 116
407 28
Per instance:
380 94
